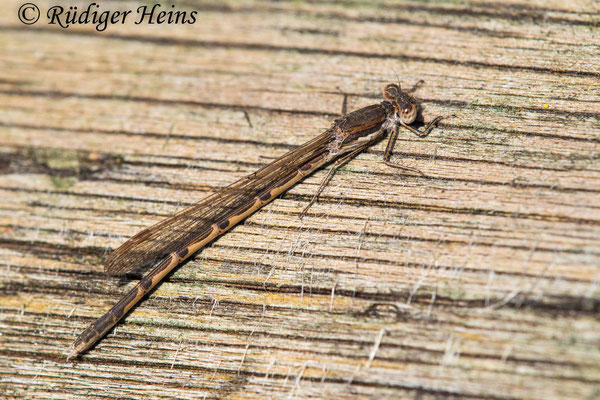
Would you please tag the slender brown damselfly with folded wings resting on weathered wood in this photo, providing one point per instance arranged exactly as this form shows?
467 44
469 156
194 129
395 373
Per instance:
175 239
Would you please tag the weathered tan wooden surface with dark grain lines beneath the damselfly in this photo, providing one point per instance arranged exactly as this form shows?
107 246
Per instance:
479 280
